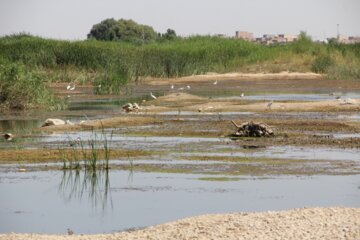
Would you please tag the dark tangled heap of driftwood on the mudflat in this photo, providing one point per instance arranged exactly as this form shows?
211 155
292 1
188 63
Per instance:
251 129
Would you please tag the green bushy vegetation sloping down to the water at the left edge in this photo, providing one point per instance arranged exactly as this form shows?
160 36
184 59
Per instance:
22 89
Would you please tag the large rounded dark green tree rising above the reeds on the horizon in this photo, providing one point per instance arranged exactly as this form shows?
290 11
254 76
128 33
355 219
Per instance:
122 30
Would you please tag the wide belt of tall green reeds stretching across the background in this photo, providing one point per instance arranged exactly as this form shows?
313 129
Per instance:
115 64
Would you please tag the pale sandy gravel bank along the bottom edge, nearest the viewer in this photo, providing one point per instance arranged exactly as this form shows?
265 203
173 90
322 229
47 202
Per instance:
300 224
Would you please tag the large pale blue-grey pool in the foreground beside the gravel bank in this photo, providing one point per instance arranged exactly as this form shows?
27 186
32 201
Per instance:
35 201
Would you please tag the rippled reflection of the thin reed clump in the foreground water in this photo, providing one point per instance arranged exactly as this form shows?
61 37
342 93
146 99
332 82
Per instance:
92 185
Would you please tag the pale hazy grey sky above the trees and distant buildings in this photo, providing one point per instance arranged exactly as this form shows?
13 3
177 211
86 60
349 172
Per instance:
73 19
